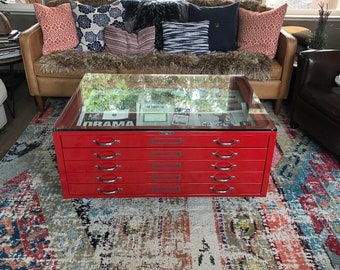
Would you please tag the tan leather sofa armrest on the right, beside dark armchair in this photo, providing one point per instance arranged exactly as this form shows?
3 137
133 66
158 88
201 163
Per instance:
285 55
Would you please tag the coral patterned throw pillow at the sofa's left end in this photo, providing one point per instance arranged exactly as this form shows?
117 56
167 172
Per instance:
57 26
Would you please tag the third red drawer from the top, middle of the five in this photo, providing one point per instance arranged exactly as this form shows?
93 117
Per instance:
170 165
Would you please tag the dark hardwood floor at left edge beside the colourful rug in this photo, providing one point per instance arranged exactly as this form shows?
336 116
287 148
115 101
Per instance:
25 110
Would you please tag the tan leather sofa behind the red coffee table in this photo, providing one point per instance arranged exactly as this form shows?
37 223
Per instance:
42 84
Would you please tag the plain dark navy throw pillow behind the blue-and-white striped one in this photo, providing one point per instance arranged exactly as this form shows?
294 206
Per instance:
223 25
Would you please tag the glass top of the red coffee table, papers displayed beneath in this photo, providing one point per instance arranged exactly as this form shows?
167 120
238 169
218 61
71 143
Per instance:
162 101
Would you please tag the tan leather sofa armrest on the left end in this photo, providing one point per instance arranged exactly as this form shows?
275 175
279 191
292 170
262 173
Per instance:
31 43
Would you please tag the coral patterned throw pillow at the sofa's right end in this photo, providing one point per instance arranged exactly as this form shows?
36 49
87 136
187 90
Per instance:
259 32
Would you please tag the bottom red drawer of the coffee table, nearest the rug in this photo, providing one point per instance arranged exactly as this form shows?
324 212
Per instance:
154 190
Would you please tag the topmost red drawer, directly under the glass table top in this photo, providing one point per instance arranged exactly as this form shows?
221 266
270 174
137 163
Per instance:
164 139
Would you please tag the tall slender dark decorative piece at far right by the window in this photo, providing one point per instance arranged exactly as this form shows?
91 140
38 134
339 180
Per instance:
319 37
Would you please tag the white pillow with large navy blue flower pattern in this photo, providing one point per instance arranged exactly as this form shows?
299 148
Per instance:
90 23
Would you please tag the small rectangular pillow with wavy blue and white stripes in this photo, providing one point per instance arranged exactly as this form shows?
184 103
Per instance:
186 37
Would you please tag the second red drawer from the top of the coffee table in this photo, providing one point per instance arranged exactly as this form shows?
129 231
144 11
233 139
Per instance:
164 154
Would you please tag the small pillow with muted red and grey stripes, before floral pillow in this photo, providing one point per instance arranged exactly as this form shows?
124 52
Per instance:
119 41
